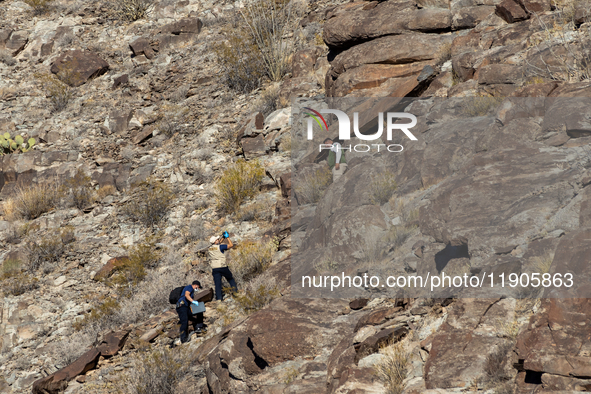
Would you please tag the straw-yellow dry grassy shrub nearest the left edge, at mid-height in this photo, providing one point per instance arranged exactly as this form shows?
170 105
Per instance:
30 202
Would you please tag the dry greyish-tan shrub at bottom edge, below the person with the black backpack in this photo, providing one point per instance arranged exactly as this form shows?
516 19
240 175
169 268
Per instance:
157 372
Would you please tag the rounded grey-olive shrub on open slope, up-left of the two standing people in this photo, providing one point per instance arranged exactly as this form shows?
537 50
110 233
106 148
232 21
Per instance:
150 203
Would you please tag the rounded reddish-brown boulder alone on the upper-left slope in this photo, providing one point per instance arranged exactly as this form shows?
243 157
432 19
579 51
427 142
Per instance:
77 67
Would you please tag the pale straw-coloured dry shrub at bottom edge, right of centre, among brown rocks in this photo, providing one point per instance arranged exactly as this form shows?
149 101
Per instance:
393 368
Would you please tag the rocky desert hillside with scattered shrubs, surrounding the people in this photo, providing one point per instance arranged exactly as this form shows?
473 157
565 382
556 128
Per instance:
139 121
